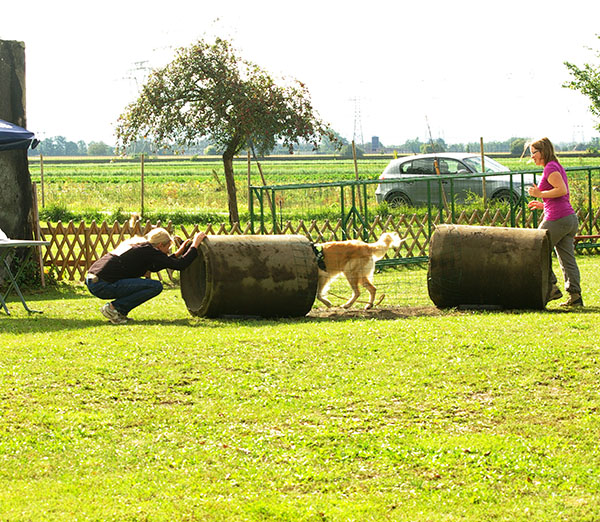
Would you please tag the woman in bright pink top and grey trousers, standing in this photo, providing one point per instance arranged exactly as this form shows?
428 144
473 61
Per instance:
559 219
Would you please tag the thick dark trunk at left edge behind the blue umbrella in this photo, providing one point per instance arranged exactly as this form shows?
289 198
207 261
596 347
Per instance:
16 197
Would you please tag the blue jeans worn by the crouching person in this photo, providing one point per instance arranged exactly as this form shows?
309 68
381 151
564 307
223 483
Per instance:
127 293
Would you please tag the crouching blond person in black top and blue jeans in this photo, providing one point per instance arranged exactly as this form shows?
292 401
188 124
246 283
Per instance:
118 275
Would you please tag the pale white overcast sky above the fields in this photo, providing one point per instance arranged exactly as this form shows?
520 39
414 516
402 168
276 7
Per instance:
457 70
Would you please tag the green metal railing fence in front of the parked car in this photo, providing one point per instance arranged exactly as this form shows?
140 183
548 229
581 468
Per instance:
356 209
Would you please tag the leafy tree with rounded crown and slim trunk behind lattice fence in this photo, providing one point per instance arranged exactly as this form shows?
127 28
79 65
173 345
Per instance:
207 90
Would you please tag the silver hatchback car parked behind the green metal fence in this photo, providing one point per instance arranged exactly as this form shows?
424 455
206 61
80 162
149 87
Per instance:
450 163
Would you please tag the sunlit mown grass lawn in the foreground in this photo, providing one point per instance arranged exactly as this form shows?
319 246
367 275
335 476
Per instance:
406 413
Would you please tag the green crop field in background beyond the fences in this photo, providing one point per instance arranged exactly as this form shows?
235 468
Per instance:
186 185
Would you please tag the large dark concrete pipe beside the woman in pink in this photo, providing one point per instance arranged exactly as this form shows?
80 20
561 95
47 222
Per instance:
492 266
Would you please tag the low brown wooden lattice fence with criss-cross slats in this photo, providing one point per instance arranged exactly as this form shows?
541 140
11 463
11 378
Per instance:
74 247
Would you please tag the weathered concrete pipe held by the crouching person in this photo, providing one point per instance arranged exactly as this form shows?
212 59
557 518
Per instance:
267 276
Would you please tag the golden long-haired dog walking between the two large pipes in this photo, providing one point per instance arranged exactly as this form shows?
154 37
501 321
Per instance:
356 260
